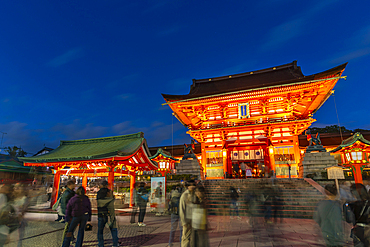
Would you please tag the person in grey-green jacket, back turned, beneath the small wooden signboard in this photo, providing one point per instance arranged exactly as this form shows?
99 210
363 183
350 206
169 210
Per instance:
329 217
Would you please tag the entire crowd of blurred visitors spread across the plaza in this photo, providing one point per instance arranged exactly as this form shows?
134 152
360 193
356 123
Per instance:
187 206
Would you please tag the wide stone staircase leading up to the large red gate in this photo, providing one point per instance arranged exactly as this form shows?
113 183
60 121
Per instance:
294 198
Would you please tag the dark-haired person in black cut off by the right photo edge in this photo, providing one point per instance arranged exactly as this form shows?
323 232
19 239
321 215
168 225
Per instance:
360 210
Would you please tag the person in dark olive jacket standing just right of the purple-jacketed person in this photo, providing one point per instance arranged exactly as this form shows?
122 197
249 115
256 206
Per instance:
106 214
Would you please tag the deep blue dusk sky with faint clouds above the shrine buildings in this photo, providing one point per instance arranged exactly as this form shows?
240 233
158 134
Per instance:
85 69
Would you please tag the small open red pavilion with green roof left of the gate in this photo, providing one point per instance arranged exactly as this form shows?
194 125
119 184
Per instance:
124 155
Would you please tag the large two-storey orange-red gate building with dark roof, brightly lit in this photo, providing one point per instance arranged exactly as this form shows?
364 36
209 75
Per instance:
253 119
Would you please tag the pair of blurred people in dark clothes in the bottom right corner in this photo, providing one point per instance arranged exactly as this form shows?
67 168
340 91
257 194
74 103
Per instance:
351 204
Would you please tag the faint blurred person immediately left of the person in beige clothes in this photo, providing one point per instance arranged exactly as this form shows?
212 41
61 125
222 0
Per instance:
175 218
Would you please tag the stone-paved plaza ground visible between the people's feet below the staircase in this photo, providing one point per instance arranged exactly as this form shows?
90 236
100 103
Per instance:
42 230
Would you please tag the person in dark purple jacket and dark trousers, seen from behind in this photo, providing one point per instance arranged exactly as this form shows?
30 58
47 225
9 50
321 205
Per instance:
78 212
